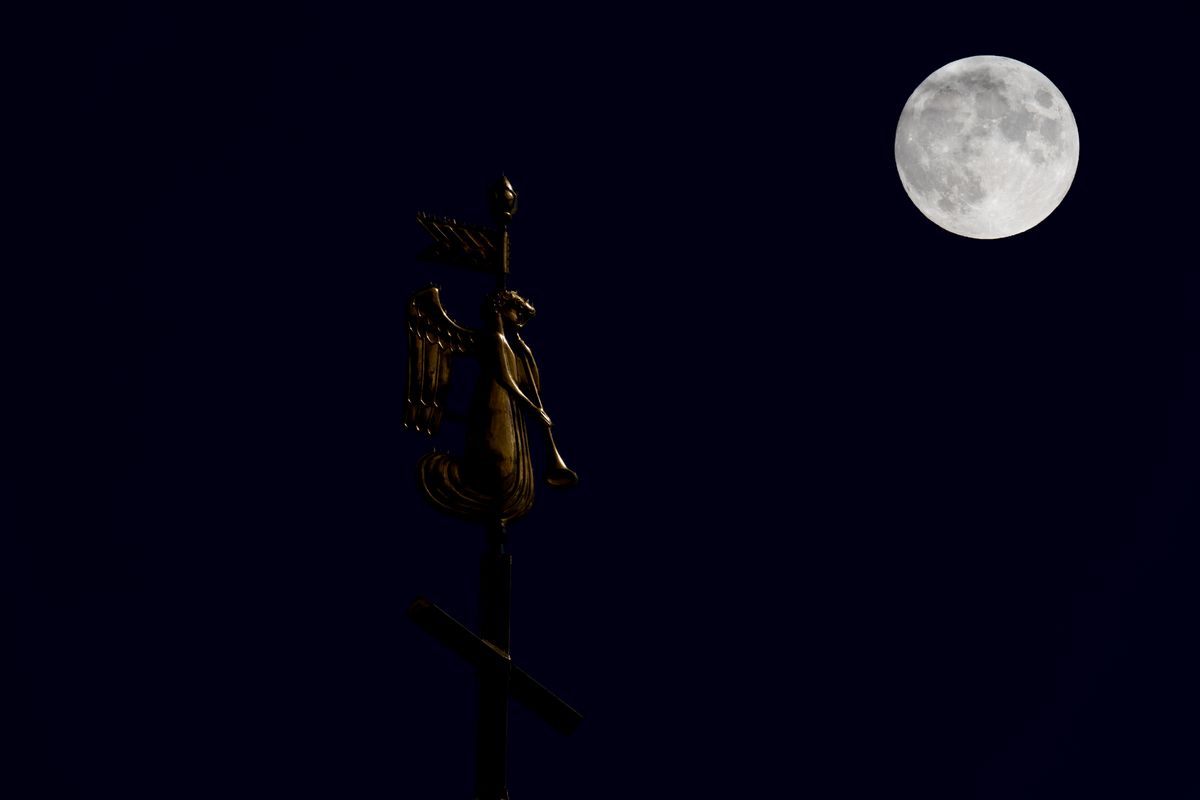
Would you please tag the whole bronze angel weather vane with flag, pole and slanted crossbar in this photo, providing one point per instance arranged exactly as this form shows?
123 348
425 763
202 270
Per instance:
493 482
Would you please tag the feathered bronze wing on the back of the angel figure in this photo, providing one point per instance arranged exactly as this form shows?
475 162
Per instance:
434 340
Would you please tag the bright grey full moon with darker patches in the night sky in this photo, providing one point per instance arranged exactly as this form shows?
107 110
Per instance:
987 147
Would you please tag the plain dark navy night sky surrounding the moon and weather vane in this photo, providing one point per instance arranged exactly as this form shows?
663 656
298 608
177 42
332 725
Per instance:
866 508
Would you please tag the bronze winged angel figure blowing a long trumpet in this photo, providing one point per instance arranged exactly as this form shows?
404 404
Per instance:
494 479
